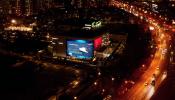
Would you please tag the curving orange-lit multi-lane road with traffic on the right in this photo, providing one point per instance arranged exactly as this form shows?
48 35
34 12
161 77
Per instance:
143 89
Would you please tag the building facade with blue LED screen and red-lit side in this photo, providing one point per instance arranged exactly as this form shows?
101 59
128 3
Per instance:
77 47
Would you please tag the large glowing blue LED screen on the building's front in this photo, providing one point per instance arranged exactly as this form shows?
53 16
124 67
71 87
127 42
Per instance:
81 49
